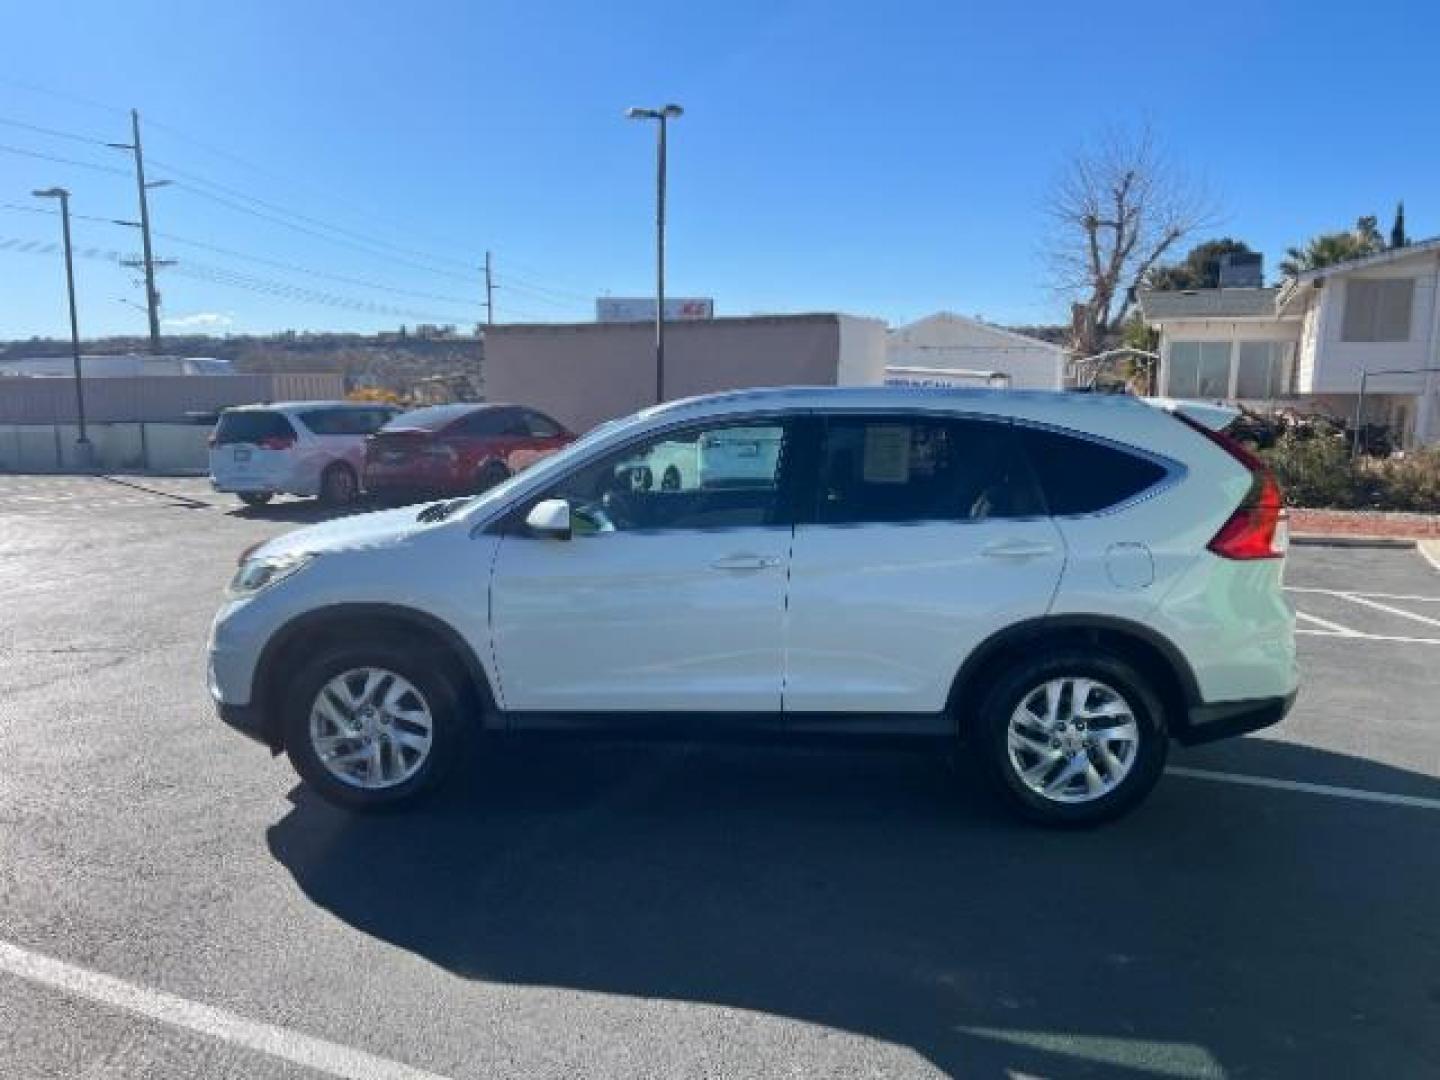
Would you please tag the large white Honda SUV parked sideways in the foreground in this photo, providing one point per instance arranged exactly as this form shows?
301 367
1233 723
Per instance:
1063 582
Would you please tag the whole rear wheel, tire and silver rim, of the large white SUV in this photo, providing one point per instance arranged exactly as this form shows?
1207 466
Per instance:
1072 739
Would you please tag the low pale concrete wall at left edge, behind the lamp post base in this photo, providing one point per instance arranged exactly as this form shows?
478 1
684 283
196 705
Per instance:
117 447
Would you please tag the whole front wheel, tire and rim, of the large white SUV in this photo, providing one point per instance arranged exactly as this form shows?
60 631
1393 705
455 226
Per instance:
374 726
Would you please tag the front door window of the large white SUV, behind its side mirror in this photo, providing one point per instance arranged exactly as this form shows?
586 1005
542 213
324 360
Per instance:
708 477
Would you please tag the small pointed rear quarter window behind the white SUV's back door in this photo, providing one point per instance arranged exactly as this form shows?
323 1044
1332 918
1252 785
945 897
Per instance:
1082 476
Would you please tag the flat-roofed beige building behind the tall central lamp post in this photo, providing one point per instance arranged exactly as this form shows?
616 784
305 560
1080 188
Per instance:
584 374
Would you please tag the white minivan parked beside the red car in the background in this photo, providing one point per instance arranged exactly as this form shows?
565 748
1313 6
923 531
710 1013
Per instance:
296 449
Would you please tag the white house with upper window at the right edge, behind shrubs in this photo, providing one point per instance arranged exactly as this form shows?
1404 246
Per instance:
1311 341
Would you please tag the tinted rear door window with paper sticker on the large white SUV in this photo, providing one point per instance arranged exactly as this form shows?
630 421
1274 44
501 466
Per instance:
919 469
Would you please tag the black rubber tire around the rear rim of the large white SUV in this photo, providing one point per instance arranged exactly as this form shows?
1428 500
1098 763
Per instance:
1006 696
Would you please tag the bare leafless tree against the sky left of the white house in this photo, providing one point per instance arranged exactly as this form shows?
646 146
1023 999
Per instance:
1117 210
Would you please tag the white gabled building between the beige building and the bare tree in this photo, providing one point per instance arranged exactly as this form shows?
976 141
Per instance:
971 349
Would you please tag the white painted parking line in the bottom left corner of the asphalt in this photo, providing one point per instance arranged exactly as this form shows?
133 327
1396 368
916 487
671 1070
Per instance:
168 1009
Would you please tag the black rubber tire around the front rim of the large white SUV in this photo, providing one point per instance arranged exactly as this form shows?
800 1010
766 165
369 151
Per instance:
450 735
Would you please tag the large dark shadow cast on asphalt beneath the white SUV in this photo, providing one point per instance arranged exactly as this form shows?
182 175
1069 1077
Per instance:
1219 931
